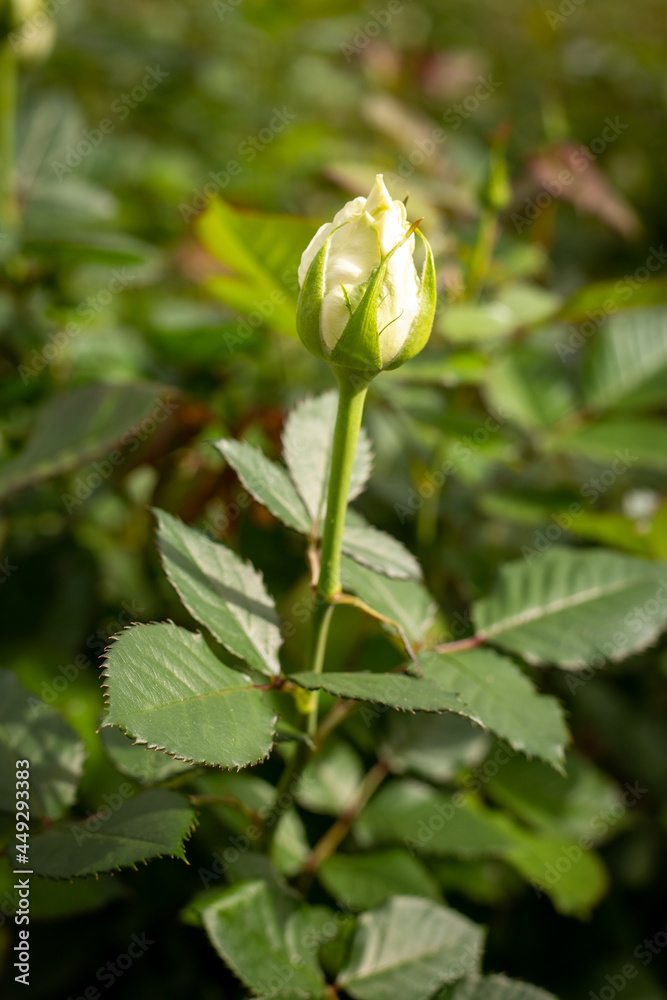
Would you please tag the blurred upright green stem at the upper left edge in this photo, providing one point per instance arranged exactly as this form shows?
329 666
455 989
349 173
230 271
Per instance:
8 209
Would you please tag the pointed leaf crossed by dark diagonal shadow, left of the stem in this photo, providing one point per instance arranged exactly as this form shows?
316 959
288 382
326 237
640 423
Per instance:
221 591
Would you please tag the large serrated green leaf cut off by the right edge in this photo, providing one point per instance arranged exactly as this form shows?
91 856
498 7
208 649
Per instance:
570 607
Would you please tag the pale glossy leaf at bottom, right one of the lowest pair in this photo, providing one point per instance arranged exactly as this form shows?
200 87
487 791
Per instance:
408 948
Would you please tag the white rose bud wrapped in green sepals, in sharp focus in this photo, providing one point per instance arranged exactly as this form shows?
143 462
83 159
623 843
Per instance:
362 304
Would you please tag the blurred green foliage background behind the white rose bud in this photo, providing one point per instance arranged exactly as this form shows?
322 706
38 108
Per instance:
203 320
